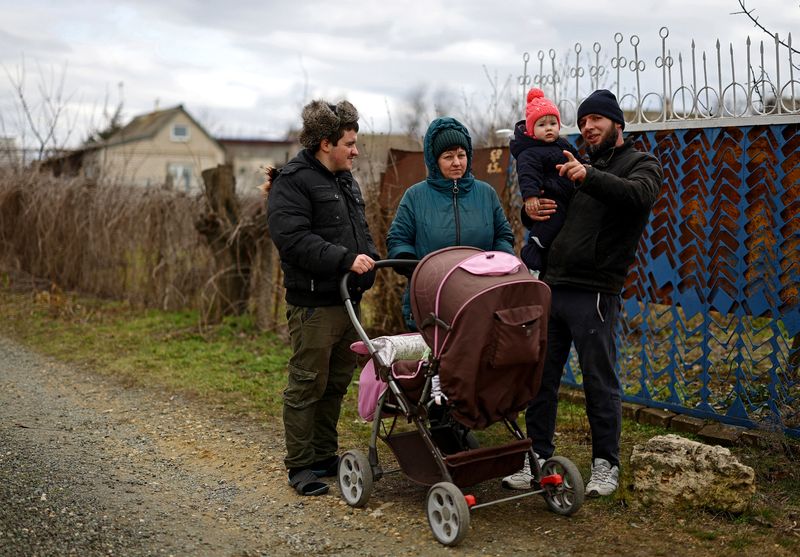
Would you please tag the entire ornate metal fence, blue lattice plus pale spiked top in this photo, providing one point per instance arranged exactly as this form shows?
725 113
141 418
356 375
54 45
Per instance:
711 310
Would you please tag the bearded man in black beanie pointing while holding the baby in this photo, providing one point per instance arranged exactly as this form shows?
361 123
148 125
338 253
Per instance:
586 270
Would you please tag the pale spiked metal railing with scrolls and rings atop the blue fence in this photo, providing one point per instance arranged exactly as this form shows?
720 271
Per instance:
730 82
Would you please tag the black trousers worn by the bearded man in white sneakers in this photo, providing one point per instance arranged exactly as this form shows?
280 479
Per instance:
589 320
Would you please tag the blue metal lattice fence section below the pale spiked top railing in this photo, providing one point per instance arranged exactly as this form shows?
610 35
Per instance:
711 309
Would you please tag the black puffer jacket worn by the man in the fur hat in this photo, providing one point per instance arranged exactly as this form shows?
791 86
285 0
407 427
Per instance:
318 223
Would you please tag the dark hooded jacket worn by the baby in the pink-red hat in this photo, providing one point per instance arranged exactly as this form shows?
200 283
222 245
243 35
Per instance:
536 165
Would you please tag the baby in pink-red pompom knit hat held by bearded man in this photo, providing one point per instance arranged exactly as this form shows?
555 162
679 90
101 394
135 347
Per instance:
537 148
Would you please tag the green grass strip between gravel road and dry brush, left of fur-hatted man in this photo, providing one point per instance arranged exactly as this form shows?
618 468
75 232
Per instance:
230 364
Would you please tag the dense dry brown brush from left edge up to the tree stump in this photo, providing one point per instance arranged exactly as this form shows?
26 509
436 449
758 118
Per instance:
115 242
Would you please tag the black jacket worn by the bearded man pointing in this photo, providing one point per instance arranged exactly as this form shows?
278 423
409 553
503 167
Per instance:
605 221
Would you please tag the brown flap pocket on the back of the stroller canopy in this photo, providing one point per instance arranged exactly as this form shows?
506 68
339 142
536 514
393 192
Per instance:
516 336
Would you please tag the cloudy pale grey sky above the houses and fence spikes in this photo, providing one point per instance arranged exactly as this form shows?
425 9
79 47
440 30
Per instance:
244 68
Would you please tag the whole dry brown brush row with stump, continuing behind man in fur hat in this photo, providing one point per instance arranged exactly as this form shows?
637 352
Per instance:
152 248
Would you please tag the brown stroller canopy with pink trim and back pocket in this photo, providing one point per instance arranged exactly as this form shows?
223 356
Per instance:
485 318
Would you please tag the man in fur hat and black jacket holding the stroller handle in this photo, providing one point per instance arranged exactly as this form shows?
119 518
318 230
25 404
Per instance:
317 222
